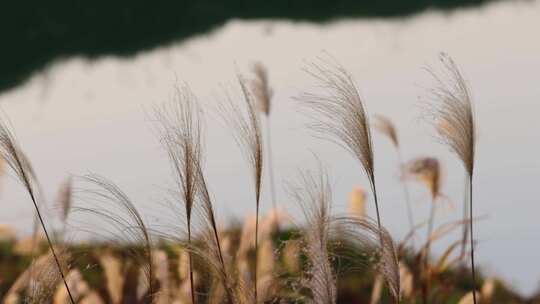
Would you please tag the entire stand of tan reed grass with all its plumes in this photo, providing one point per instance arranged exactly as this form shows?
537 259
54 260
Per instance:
327 257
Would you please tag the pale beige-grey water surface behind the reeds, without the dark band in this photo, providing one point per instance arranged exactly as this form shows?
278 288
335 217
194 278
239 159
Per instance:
84 116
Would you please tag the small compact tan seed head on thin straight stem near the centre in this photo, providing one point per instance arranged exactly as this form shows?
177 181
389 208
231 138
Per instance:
263 93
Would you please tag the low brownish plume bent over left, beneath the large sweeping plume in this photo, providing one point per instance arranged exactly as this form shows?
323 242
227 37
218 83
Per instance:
365 233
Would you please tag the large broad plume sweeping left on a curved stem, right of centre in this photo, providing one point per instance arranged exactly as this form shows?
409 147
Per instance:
341 117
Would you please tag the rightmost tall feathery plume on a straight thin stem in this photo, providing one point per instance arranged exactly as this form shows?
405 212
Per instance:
453 118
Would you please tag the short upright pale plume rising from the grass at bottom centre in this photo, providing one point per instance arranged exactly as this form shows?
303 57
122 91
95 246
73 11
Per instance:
313 194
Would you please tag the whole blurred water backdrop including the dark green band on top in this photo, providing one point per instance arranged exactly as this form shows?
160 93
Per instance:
79 84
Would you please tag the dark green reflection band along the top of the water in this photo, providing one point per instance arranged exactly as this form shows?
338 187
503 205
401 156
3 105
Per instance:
34 35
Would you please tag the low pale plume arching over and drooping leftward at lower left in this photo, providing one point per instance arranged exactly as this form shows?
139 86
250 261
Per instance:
113 212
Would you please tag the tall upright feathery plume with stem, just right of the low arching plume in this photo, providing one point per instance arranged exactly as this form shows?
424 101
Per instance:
181 136
